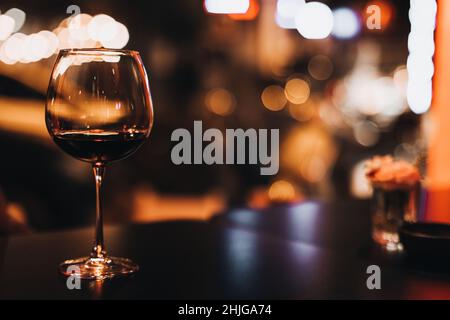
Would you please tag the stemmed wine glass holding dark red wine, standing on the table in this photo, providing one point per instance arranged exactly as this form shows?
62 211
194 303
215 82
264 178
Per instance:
99 110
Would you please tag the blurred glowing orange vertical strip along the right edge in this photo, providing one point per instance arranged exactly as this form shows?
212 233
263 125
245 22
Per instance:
438 204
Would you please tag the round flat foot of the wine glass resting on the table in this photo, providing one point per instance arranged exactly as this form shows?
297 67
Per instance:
98 268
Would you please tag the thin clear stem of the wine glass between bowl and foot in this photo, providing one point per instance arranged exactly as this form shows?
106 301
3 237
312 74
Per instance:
99 248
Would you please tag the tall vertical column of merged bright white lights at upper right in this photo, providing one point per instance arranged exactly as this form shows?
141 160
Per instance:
420 66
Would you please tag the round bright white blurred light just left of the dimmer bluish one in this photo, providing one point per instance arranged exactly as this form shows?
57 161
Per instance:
314 20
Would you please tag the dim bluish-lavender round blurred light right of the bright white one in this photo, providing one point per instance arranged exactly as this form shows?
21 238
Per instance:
346 23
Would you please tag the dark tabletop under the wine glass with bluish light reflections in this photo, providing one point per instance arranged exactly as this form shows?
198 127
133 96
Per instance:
305 251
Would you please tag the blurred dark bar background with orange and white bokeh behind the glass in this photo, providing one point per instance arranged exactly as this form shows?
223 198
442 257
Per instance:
337 101
